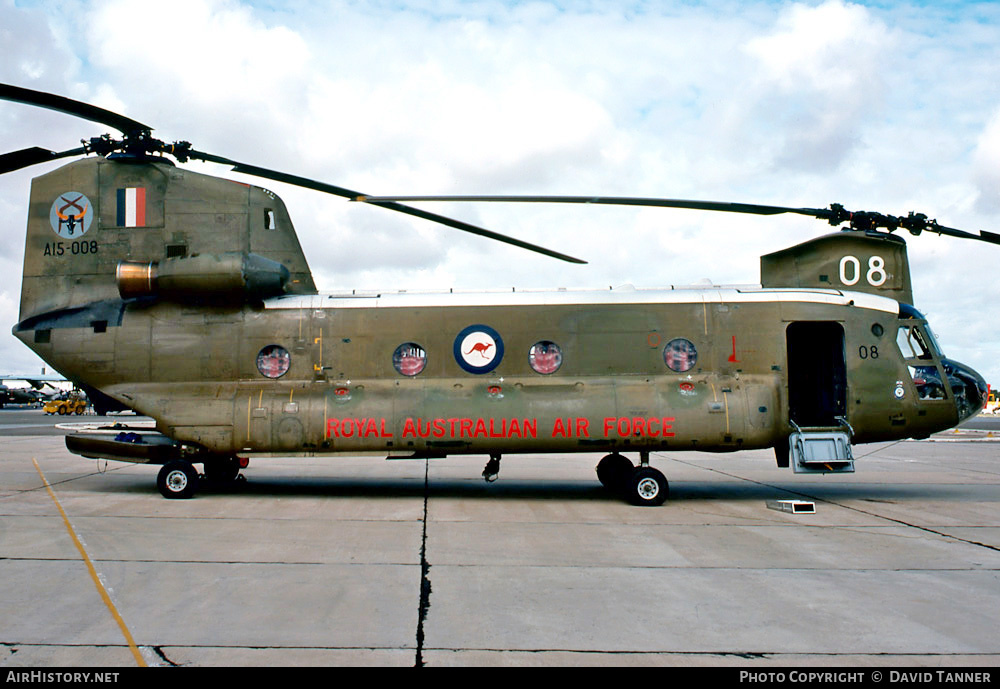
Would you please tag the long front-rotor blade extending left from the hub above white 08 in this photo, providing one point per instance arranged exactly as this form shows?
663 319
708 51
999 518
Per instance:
617 201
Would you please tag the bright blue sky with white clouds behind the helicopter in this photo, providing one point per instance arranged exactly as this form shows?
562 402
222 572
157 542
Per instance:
880 106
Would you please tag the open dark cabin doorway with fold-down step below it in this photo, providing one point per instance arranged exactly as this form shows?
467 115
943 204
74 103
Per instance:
817 397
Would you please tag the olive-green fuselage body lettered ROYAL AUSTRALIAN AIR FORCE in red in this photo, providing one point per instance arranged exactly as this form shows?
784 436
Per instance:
194 369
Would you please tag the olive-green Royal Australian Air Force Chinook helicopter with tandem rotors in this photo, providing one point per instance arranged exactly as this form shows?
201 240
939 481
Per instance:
187 298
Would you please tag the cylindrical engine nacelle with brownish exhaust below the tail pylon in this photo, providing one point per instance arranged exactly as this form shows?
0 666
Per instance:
228 277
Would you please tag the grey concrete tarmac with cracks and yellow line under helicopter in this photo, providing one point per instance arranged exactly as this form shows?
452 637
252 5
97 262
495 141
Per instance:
362 561
